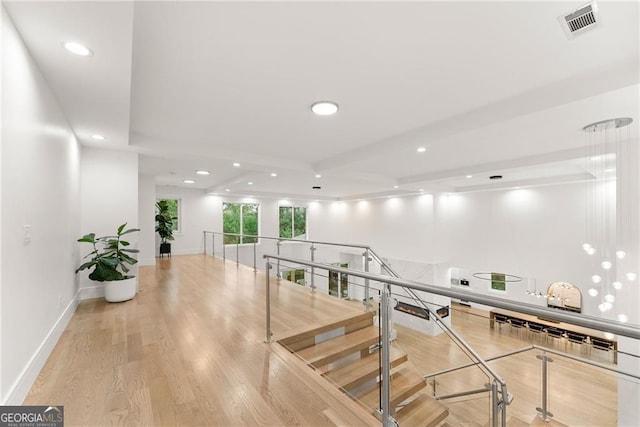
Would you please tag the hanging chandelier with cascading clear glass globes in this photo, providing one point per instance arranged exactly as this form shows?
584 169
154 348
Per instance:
611 210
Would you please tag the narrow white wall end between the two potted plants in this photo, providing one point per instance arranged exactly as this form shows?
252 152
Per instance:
146 220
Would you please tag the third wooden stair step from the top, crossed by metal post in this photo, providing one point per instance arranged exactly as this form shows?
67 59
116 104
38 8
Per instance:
363 370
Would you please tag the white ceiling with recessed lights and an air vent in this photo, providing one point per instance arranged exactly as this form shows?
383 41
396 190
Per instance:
487 87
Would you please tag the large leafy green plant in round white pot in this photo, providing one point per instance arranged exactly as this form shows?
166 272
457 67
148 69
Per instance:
110 261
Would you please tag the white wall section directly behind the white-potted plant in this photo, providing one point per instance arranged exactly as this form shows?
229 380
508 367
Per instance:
109 197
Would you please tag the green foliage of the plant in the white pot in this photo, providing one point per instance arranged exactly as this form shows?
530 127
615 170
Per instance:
110 257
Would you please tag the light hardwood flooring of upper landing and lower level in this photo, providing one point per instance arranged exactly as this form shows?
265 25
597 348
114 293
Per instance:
189 350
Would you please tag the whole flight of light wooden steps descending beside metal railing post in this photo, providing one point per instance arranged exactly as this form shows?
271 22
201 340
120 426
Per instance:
346 352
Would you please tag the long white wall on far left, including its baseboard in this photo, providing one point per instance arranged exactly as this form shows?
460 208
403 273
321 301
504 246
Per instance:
39 188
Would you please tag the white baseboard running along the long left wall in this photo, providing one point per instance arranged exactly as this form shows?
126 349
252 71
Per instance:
20 388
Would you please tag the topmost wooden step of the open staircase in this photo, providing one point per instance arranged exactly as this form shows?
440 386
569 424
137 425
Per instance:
300 339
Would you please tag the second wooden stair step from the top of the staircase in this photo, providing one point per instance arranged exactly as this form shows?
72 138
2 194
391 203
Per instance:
339 347
